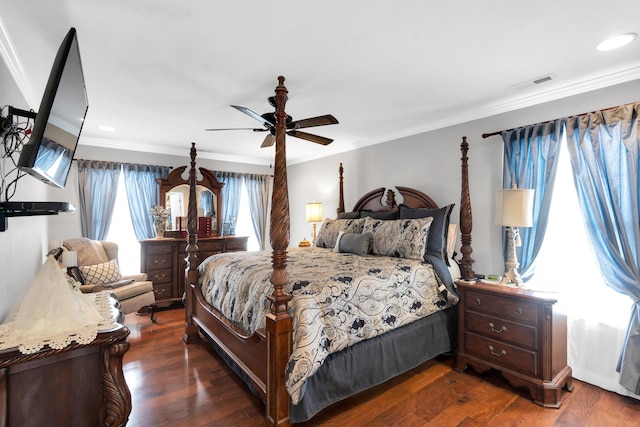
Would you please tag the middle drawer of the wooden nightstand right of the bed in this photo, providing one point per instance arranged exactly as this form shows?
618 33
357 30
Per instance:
501 330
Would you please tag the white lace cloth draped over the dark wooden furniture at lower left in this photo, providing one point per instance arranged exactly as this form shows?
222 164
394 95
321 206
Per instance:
54 312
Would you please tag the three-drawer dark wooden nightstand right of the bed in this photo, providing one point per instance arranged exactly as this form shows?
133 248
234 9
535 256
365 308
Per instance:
516 332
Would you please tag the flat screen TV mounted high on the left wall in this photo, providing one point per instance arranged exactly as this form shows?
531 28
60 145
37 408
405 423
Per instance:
58 123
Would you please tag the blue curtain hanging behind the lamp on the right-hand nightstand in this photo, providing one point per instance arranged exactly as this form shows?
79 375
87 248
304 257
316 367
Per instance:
530 162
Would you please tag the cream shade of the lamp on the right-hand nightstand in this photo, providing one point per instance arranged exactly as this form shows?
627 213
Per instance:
514 207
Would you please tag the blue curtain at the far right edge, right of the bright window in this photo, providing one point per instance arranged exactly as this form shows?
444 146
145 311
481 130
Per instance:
604 155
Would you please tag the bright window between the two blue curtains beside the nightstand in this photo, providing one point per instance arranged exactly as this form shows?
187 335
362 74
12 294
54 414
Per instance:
597 316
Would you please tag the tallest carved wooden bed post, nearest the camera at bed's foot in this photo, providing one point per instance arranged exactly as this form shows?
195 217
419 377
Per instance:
278 323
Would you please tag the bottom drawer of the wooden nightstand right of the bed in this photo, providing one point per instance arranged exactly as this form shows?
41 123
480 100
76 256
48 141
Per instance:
502 354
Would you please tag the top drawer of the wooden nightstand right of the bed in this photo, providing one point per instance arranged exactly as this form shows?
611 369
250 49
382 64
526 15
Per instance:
504 308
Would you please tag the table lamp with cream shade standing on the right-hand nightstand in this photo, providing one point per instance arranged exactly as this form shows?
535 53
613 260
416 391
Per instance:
514 208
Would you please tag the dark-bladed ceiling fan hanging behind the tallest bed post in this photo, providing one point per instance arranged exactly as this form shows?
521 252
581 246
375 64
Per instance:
268 121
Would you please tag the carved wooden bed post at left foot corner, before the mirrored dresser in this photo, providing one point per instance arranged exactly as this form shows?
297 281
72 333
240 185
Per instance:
190 328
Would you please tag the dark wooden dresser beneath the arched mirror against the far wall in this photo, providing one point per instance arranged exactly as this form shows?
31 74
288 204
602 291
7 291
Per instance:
164 262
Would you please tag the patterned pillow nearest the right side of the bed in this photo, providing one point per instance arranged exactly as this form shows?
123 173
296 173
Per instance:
401 238
